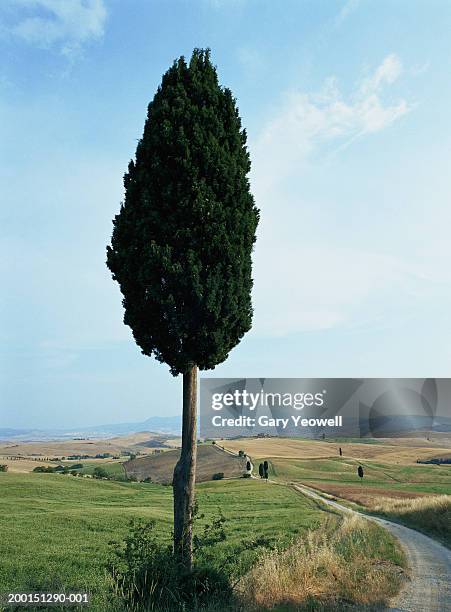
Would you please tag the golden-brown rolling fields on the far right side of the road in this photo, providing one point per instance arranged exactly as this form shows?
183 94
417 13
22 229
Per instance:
394 484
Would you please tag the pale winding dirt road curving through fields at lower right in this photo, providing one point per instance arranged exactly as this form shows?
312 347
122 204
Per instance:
429 587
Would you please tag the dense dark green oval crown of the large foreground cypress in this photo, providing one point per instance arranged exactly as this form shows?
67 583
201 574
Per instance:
182 242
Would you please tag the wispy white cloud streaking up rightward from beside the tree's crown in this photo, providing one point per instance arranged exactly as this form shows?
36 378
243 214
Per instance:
309 123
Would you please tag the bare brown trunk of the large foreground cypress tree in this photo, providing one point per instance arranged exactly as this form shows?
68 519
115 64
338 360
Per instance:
185 473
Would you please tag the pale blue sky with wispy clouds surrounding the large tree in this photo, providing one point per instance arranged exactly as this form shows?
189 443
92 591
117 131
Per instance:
346 104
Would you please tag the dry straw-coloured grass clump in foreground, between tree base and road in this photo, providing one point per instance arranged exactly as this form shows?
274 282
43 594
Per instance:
359 563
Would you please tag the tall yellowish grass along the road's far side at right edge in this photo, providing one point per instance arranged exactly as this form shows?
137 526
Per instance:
432 515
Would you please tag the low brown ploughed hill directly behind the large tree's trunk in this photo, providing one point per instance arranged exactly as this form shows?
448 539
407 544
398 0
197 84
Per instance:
210 460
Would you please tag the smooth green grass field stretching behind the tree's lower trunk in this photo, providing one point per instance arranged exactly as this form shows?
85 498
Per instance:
56 528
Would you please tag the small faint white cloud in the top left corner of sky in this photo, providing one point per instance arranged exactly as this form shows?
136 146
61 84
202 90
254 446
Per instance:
64 23
